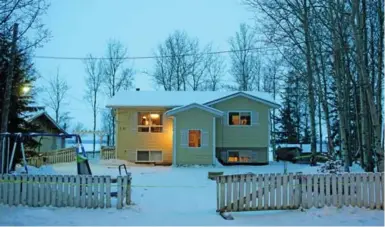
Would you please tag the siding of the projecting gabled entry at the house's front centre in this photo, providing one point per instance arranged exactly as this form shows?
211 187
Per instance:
194 119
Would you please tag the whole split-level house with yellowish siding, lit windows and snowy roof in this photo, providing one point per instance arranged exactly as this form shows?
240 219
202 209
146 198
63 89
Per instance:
192 127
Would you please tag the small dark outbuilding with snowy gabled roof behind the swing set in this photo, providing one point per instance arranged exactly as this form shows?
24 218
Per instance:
47 125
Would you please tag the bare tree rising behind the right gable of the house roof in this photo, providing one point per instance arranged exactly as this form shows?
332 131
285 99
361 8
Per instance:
245 63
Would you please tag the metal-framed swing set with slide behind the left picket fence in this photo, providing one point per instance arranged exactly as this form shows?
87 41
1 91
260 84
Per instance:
7 156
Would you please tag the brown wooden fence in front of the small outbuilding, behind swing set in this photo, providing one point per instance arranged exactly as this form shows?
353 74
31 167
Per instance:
60 156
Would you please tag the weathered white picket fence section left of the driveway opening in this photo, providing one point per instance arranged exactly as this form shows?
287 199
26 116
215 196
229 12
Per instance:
84 191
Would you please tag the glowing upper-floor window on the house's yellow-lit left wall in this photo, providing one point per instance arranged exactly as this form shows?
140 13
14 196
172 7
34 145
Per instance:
150 122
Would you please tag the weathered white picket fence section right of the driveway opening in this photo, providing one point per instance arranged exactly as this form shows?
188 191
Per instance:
249 192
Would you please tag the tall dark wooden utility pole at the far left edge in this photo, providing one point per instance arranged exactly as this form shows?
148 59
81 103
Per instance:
7 93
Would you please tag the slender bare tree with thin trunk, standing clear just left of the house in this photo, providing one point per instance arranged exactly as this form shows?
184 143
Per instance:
94 82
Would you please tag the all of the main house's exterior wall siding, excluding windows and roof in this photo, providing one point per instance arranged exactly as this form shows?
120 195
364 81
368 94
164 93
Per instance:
254 137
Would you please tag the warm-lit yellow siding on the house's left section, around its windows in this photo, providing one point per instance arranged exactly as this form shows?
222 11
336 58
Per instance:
129 140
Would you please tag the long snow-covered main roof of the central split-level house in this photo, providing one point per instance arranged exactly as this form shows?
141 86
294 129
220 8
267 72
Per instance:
179 98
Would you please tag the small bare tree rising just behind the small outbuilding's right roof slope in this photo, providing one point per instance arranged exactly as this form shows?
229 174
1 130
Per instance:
57 90
